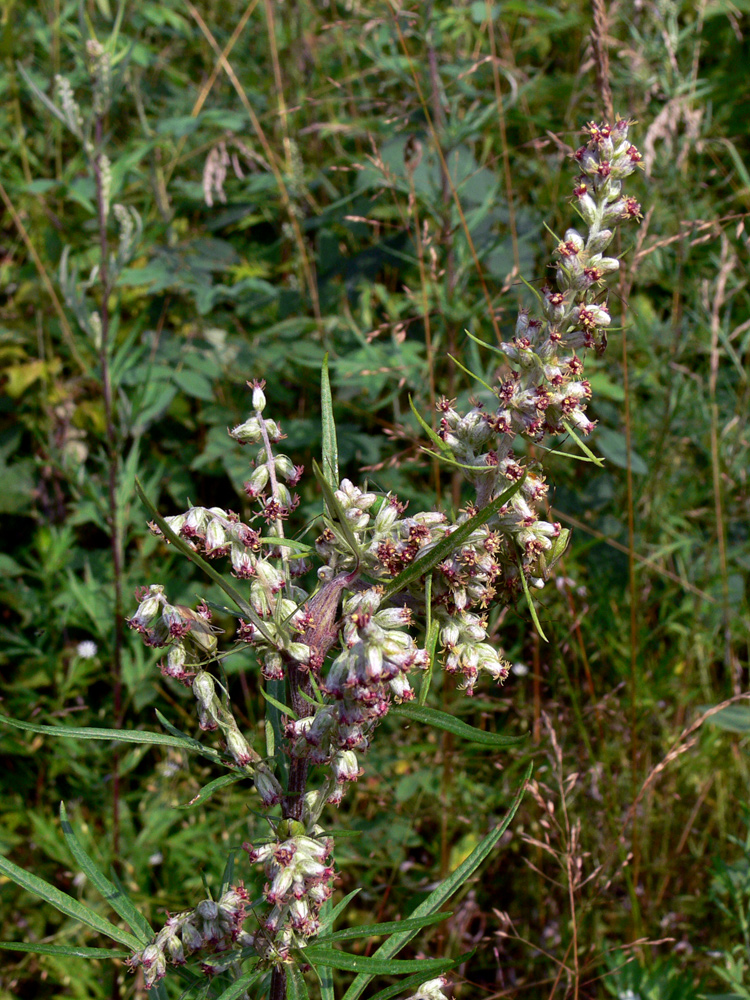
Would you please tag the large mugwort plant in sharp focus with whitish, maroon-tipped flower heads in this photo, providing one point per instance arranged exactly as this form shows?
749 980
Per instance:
395 595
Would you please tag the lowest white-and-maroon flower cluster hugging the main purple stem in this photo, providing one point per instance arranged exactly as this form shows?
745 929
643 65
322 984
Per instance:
299 882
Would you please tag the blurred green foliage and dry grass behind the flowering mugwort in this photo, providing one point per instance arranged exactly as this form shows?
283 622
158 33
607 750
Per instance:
339 229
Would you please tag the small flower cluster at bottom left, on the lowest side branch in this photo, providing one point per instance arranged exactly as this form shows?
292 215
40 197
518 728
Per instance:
212 928
